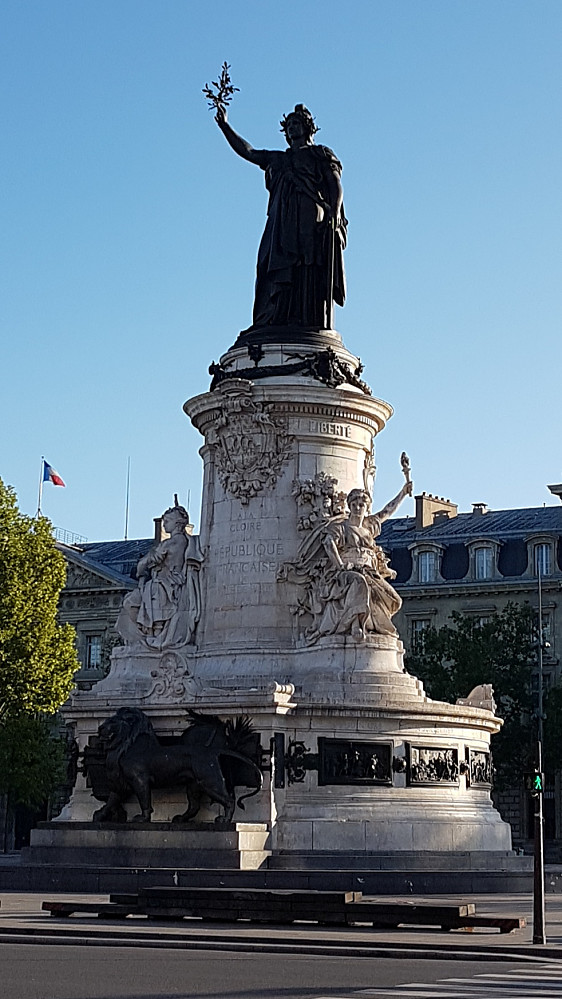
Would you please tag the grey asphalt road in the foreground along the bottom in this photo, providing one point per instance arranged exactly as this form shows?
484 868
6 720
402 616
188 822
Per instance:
70 972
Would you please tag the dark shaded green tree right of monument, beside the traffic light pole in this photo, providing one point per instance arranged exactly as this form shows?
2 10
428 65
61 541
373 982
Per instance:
452 660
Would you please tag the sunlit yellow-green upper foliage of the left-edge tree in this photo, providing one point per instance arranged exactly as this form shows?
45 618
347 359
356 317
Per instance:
37 655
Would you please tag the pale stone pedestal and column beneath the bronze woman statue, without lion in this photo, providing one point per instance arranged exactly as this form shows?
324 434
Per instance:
359 762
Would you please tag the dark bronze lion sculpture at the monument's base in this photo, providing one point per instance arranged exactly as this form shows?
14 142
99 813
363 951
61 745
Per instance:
210 759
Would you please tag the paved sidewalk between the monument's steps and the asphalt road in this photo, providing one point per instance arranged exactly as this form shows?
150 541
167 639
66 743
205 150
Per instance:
21 920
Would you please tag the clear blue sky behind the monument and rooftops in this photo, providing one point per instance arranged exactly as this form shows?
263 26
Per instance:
129 233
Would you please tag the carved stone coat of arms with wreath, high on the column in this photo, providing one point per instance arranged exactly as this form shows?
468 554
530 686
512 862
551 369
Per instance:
251 446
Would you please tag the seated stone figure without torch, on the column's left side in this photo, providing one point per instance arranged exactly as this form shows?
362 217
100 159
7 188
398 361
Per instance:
164 610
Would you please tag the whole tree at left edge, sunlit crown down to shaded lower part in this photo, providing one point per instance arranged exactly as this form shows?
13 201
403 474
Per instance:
37 657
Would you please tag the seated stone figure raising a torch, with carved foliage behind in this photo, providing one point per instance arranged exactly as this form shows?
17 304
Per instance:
340 572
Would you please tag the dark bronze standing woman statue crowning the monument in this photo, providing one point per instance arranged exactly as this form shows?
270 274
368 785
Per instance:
300 271
